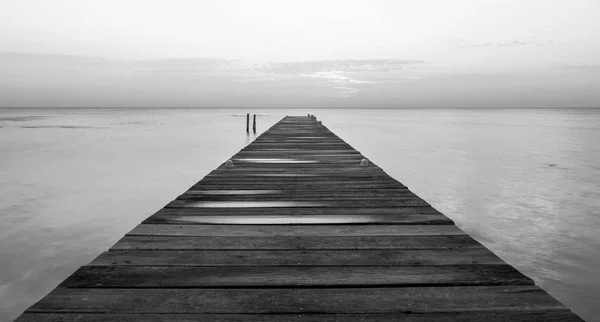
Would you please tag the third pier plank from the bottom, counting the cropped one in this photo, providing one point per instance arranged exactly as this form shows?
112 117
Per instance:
284 276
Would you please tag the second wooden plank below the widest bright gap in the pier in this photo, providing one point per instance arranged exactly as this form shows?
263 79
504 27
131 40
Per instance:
293 242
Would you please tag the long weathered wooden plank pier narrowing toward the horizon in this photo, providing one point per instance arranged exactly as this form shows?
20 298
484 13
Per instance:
298 228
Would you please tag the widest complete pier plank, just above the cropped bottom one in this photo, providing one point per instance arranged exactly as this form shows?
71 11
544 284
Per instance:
298 300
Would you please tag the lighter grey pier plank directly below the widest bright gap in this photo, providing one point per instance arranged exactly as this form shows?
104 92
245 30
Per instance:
304 230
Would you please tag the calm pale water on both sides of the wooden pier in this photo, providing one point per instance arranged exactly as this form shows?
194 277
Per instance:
525 183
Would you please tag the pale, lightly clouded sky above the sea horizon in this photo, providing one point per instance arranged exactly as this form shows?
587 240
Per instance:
327 53
